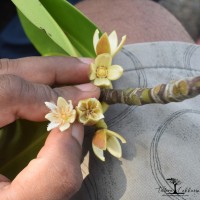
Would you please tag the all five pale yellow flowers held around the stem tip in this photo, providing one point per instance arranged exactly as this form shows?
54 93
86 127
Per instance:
91 111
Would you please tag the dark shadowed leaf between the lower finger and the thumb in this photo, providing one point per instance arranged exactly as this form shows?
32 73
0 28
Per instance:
20 142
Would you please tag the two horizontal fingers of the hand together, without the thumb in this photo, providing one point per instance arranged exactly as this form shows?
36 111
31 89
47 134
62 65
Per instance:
25 85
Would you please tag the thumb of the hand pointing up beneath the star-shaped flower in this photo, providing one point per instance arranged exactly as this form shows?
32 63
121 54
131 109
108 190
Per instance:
55 173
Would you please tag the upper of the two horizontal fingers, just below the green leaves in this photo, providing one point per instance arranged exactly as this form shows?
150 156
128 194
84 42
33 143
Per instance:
48 70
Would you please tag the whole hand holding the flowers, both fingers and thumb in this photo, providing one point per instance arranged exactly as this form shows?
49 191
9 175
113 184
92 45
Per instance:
25 84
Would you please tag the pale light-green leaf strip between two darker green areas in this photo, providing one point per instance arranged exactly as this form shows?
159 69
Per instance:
36 13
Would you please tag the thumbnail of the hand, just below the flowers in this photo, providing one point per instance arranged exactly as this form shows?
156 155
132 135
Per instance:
78 132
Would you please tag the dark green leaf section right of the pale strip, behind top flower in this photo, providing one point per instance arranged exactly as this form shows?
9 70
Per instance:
78 28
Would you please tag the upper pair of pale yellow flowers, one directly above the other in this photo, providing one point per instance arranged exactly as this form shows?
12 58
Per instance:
101 71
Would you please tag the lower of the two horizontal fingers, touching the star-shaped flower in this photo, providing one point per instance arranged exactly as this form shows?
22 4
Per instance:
22 99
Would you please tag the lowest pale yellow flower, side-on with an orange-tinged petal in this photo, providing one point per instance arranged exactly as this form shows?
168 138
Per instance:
105 139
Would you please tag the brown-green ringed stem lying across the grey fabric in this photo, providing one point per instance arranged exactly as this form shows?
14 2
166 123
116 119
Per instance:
174 91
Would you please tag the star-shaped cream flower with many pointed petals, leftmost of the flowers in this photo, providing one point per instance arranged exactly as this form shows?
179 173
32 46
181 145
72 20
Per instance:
61 115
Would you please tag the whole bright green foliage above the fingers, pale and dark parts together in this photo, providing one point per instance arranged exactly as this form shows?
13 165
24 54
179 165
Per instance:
57 27
